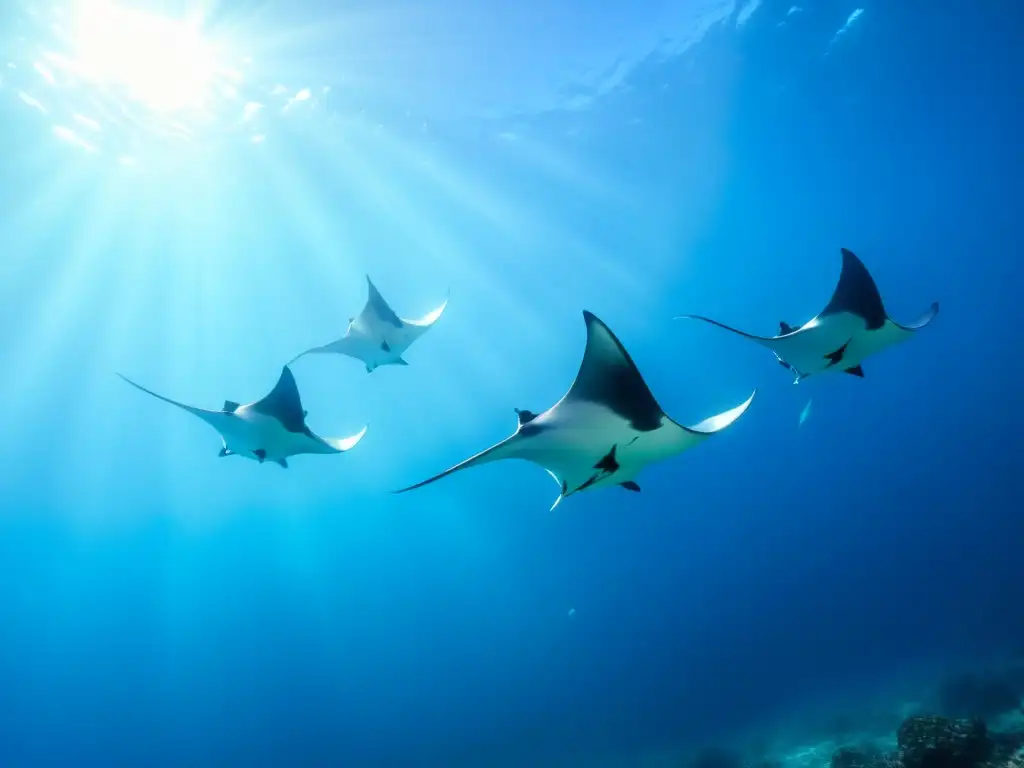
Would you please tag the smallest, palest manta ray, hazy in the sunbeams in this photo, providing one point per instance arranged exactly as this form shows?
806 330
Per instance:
378 336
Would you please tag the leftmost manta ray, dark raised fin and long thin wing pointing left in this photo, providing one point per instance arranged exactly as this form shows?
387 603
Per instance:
271 430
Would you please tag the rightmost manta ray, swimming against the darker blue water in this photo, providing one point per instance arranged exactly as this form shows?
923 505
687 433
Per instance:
854 327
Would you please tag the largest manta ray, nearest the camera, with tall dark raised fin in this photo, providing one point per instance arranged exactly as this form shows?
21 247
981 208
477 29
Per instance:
605 431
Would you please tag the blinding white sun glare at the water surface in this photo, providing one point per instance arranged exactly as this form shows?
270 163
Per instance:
160 62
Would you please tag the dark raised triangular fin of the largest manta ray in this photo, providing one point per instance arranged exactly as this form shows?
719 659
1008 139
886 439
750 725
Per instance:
609 377
